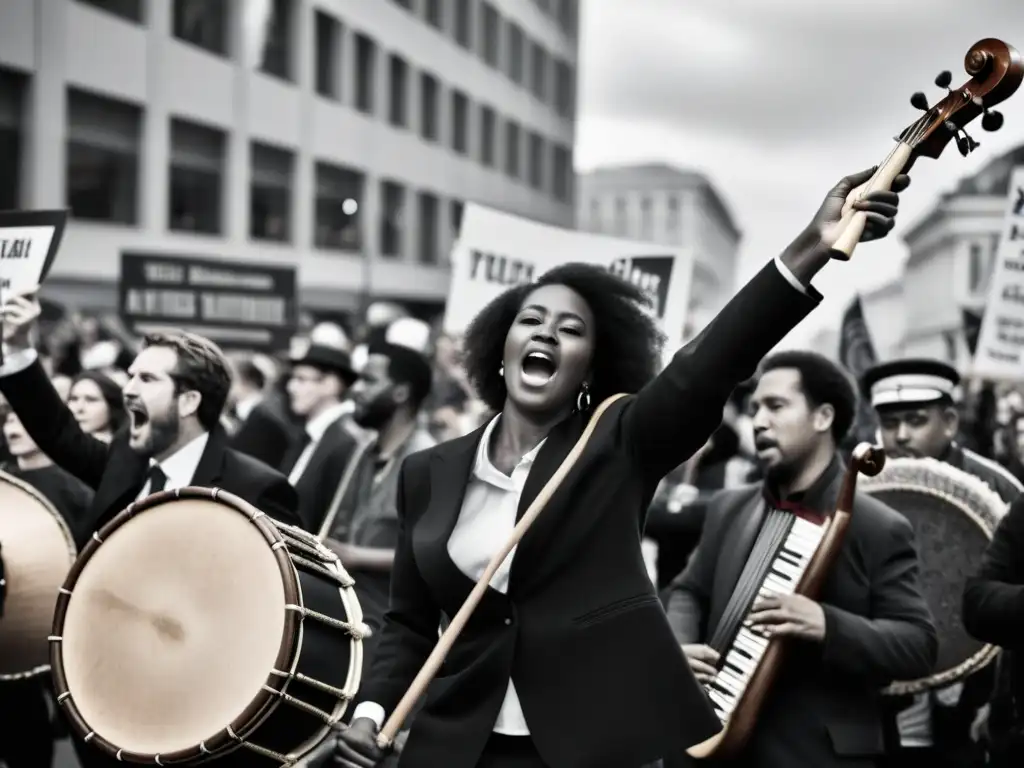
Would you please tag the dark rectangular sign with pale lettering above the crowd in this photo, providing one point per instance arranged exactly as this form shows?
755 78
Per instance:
232 304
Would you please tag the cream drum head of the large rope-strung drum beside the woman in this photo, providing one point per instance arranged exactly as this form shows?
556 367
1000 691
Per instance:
174 626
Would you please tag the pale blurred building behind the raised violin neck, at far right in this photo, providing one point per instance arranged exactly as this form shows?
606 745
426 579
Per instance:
953 251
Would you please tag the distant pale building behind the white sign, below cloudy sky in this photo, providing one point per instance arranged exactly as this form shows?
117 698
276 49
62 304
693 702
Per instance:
657 203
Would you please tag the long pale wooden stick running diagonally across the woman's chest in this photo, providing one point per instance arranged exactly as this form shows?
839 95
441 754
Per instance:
419 687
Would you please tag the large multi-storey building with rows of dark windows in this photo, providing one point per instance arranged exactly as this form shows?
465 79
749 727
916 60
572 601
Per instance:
339 137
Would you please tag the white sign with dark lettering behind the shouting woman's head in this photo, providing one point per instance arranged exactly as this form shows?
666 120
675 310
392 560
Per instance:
497 251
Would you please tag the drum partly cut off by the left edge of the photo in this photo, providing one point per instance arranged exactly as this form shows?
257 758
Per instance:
38 551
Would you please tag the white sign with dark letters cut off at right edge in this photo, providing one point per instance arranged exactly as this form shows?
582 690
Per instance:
1001 344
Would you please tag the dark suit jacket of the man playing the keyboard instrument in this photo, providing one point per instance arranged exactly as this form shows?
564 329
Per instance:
825 709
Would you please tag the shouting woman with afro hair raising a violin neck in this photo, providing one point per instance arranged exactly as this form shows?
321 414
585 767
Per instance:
569 661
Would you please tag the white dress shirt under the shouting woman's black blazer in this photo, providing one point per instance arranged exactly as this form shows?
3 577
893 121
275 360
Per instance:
486 523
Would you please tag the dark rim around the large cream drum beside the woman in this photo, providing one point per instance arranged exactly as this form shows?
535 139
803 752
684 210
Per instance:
232 737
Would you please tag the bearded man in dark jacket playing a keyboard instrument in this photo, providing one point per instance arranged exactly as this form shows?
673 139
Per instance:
871 626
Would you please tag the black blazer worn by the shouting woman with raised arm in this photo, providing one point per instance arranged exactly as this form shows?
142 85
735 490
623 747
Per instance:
581 632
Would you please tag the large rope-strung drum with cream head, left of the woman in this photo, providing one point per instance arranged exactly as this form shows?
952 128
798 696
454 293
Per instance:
194 628
